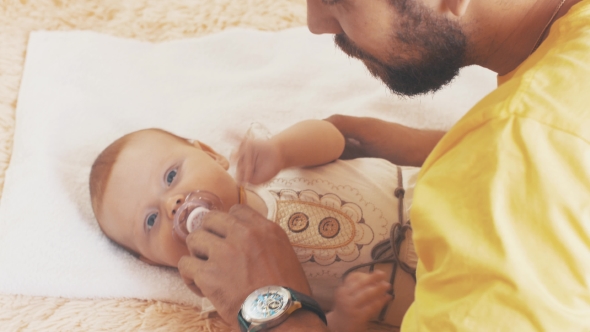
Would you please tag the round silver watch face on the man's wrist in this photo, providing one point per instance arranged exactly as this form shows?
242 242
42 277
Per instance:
266 303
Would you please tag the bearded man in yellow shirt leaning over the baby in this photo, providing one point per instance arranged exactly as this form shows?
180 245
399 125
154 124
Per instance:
501 210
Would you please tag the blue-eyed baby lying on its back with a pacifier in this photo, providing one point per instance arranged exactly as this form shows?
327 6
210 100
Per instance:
340 216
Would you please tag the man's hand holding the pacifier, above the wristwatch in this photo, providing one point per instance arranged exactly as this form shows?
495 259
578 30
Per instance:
235 253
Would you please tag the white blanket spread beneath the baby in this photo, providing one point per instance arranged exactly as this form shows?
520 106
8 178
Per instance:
82 90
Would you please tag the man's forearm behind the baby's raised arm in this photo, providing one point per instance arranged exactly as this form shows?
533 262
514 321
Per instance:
370 137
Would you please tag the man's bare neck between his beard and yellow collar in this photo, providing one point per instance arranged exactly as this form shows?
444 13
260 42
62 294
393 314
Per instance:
509 33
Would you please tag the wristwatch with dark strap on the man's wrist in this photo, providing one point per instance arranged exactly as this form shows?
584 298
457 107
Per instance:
269 306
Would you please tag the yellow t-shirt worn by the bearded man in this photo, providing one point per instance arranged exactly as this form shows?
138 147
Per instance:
501 212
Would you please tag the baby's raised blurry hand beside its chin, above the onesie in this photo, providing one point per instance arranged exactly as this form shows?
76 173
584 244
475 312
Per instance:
258 160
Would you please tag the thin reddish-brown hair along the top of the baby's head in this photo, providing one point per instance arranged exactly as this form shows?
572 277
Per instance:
102 167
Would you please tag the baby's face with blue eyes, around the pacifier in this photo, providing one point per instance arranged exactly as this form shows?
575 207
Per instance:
153 174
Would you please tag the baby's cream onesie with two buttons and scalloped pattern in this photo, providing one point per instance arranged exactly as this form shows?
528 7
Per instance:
337 213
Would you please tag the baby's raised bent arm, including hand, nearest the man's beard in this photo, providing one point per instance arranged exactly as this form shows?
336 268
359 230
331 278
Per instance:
306 143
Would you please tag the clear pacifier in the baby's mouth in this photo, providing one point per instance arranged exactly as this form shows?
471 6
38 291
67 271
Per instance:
189 216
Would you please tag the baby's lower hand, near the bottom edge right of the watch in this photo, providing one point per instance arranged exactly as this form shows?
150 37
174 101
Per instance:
360 298
